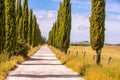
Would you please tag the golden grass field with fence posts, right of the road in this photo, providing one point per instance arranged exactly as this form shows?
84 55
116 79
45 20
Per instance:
85 65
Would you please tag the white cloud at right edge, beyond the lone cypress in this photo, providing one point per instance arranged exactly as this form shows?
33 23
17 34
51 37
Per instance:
112 31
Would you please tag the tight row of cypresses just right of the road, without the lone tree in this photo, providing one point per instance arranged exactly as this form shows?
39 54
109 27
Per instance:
59 36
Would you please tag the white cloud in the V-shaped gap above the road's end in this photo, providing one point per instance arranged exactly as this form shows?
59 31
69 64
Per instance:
45 19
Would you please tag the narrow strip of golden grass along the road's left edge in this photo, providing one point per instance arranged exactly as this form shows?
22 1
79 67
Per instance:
7 66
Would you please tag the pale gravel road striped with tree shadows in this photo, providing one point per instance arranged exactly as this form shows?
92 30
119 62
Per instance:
43 65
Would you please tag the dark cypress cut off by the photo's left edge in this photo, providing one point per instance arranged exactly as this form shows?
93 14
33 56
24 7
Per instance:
2 25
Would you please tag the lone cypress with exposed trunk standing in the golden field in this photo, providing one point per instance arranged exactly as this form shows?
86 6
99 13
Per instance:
97 23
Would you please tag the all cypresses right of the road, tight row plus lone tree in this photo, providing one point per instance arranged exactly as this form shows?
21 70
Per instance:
59 36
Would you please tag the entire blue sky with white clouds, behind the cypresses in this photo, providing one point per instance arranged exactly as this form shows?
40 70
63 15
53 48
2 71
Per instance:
46 12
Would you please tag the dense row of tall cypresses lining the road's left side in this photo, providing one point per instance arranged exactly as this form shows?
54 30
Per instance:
19 30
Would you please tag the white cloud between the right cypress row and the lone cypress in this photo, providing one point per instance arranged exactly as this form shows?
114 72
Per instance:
79 34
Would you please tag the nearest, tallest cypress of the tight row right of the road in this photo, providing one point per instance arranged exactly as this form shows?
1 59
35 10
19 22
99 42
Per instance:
65 24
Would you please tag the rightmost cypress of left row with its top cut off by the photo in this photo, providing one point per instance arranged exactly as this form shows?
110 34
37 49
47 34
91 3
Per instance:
25 19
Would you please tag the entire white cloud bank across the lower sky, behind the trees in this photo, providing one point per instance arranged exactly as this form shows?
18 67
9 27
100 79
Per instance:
80 26
